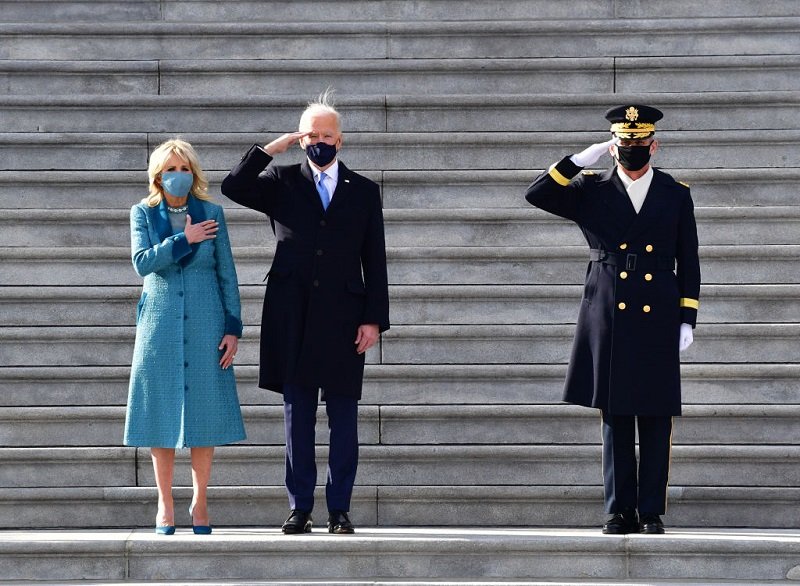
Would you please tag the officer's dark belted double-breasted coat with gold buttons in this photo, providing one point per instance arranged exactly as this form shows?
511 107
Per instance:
625 357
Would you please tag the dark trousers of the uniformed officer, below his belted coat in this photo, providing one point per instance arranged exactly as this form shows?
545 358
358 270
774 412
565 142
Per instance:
628 487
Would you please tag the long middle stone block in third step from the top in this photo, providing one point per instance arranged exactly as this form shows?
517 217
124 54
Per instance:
365 76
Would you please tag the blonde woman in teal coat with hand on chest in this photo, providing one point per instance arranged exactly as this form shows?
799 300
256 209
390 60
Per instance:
182 390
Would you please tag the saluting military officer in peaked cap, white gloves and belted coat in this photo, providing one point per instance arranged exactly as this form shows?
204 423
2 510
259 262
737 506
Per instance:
638 310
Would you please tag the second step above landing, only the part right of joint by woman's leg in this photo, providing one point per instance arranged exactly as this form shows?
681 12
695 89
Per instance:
552 465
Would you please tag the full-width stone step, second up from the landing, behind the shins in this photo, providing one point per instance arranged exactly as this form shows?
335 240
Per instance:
401 465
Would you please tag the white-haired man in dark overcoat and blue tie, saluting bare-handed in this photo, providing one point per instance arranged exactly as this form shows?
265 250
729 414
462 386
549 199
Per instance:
326 302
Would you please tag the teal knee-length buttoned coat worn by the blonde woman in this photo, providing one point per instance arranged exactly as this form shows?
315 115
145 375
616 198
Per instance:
179 395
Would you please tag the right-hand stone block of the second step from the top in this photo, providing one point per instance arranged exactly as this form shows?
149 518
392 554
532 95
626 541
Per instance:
570 37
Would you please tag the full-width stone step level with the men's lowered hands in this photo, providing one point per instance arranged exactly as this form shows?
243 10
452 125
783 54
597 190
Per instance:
438 344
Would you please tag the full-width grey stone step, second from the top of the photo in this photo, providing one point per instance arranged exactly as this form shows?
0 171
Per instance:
423 39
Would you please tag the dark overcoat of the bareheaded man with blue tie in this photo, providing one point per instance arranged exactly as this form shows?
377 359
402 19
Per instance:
328 275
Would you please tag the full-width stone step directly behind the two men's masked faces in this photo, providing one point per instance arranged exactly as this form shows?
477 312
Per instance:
401 151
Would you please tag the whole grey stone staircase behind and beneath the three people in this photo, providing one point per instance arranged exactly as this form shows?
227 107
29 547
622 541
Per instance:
453 107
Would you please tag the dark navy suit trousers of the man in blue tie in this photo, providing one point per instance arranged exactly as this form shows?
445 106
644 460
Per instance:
300 418
